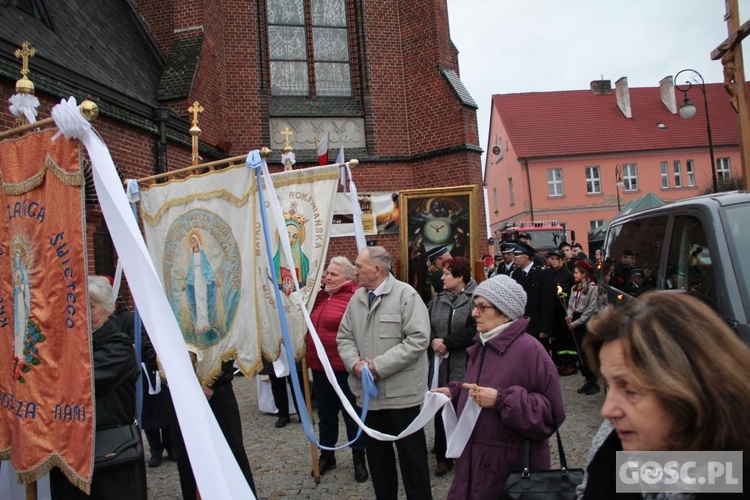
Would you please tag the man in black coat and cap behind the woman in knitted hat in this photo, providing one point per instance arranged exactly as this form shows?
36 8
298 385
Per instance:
540 293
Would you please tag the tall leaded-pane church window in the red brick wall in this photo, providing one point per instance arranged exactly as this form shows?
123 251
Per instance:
297 59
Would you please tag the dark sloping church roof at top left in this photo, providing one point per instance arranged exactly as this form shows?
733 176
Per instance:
102 41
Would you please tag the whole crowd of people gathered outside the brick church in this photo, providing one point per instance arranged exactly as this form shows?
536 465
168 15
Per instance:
496 349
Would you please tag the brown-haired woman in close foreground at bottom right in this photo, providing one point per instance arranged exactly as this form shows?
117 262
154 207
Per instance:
677 380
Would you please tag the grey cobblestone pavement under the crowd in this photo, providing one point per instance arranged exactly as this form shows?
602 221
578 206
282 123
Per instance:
281 459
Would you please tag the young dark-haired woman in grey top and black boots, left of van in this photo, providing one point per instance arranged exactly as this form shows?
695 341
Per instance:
582 305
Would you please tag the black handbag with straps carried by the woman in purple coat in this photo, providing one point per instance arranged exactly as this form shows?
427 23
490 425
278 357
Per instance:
556 484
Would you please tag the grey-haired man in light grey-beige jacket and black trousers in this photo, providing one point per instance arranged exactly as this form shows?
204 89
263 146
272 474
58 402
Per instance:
386 327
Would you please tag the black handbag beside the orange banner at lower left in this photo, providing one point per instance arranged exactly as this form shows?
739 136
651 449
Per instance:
116 447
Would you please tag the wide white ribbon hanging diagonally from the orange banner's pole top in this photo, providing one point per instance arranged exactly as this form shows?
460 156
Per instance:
216 471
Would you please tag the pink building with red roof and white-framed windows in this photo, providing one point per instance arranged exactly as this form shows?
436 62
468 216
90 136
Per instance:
556 155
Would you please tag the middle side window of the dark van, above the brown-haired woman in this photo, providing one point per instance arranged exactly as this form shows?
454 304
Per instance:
689 263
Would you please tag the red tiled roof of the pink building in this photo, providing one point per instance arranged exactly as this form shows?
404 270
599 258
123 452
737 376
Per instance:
579 122
